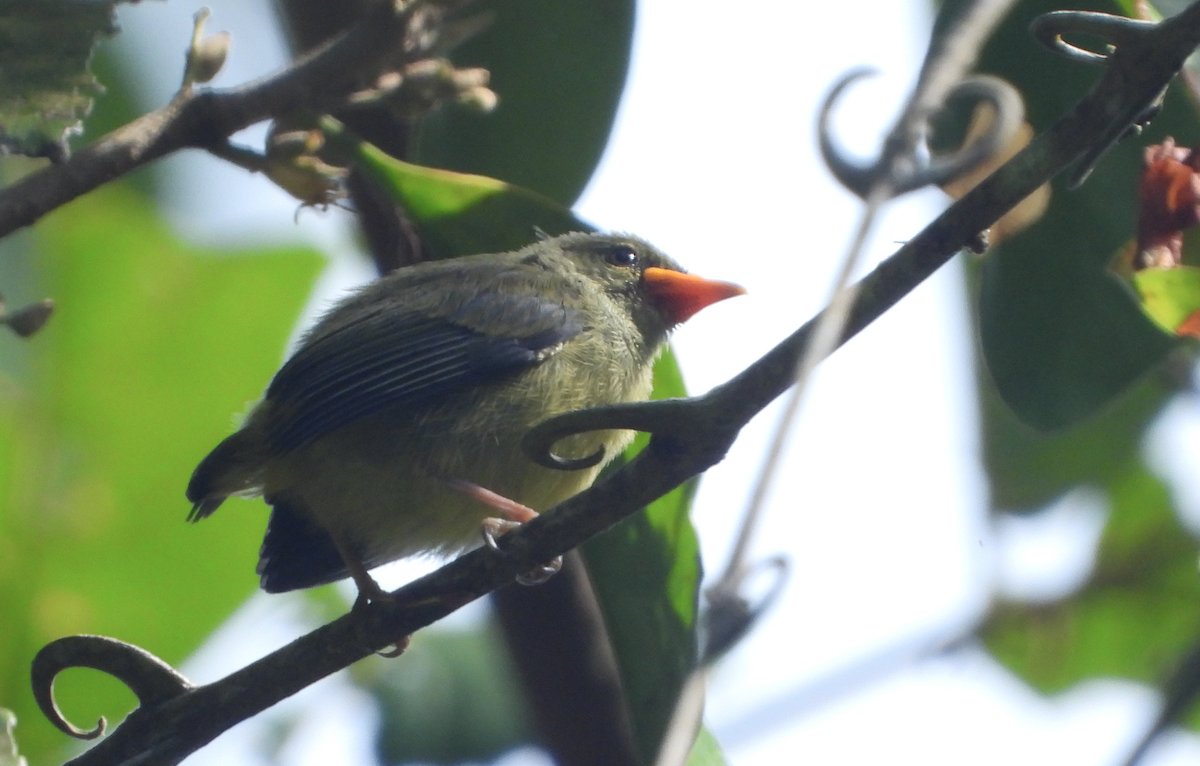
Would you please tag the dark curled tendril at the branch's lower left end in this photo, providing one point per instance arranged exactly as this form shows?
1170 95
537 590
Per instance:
151 679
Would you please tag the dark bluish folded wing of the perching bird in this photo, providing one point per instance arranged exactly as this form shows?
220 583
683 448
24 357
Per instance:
395 360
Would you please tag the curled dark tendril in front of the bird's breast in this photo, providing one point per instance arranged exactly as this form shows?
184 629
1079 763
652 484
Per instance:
651 417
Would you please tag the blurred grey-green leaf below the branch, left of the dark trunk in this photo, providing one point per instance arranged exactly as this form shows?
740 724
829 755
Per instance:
454 698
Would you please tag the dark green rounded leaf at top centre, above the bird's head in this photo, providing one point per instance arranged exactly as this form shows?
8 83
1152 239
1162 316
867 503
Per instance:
560 69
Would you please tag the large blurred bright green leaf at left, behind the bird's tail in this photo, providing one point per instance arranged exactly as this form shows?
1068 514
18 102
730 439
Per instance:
134 380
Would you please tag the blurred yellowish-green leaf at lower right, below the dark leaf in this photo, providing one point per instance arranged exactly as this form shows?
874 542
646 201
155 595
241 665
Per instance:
1136 617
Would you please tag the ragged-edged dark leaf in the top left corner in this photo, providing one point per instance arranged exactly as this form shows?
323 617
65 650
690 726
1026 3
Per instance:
46 89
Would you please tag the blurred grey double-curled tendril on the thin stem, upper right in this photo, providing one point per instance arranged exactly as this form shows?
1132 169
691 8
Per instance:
940 170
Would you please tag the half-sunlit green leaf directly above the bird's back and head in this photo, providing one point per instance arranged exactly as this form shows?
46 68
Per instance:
460 214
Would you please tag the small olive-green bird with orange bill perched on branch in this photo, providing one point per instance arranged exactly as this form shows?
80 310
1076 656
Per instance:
395 429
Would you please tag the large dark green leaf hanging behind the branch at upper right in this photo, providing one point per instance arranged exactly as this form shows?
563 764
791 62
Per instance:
1061 336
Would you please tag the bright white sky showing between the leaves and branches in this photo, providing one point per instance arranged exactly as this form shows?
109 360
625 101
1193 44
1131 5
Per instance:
881 502
